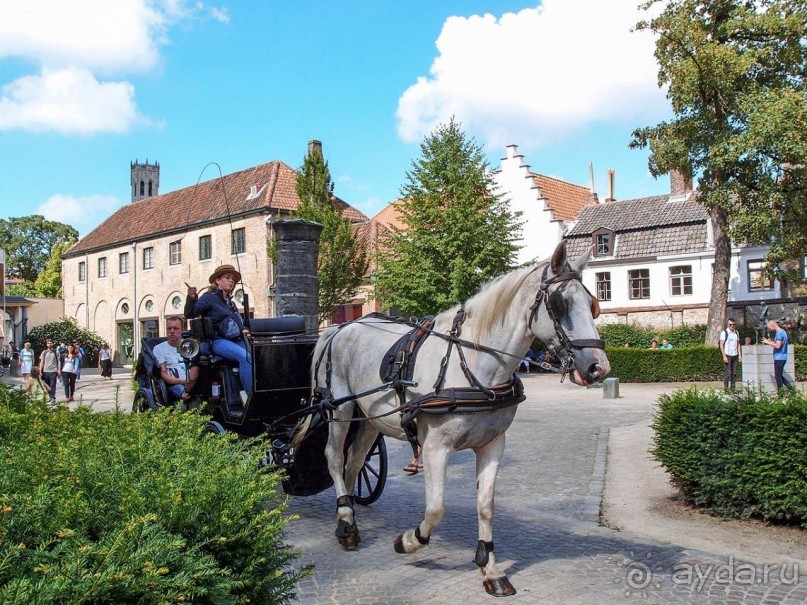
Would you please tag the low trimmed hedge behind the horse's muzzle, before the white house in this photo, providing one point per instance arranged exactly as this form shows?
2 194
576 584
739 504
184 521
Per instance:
700 363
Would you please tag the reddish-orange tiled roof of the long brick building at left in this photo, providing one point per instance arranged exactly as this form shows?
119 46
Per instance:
275 183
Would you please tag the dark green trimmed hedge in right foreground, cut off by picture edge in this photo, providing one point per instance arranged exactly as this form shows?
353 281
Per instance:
736 456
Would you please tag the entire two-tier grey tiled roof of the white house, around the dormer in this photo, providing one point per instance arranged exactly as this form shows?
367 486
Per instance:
644 227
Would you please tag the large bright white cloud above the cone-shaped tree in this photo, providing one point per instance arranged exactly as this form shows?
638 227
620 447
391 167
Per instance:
536 75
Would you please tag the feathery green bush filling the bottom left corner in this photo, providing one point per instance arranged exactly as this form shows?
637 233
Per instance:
124 509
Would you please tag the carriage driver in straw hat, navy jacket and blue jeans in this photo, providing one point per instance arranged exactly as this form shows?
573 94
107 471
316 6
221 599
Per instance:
218 305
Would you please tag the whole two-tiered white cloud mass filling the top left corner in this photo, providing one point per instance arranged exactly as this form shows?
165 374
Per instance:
81 48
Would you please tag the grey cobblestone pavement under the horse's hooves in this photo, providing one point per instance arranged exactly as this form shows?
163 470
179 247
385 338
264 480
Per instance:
546 530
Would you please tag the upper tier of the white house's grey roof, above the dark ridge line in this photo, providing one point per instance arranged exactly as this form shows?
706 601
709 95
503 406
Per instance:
641 213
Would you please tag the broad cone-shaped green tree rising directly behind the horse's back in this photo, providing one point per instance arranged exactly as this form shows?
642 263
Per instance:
458 232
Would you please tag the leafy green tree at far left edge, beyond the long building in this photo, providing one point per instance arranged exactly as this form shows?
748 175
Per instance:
29 241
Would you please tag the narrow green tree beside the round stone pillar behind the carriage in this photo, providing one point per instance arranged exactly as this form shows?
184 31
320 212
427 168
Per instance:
343 251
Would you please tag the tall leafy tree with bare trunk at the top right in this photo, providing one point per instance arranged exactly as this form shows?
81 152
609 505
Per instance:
735 72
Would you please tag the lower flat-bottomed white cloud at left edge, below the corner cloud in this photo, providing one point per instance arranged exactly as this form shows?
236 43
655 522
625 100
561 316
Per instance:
70 101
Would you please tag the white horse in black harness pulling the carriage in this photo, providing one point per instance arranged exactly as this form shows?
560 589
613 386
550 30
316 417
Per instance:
456 381
